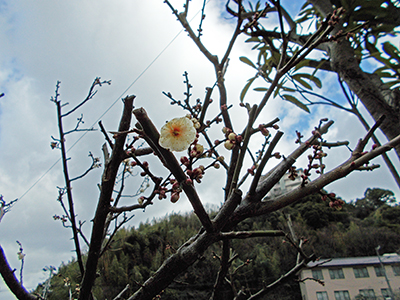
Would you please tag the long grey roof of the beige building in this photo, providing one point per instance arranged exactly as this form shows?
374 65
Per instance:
352 261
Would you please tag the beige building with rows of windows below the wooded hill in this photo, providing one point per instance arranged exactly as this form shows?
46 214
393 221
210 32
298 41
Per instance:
352 278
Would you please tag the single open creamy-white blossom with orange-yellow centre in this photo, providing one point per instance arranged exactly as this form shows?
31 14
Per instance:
177 134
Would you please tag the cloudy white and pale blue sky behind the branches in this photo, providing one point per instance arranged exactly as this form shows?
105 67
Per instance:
141 47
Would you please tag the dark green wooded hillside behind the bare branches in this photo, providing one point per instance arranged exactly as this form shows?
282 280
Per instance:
136 253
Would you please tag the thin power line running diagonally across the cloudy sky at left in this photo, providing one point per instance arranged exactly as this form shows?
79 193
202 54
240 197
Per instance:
109 108
